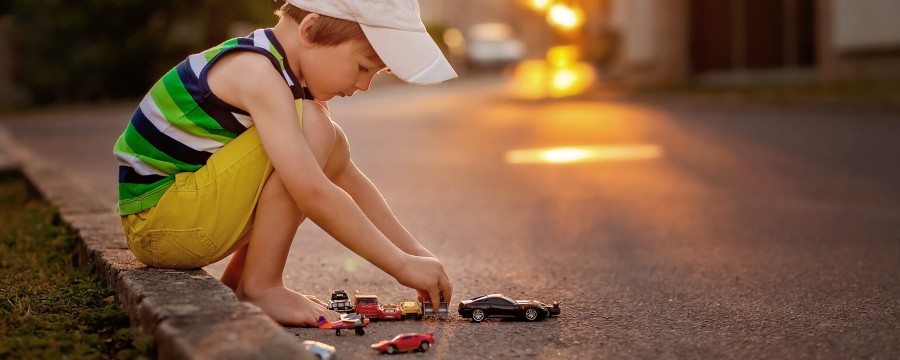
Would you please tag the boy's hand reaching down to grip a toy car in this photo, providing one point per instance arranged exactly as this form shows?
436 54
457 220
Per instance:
428 277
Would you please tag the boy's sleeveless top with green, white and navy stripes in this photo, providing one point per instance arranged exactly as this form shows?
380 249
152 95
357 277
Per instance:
180 123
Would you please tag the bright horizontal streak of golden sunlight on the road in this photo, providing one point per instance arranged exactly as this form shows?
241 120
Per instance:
581 154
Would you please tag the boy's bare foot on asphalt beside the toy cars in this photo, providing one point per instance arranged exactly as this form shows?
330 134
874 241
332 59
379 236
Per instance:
287 307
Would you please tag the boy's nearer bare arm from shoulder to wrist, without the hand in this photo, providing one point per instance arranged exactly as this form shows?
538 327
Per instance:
262 92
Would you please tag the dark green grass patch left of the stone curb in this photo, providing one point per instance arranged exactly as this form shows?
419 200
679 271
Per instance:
48 307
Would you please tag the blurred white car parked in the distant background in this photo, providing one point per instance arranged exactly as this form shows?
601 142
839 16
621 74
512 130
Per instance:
493 46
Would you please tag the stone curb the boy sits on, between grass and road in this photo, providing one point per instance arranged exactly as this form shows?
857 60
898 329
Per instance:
191 314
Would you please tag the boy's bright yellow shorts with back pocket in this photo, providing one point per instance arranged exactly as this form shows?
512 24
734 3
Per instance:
203 215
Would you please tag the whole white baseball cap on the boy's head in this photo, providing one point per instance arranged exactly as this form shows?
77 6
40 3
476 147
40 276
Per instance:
395 30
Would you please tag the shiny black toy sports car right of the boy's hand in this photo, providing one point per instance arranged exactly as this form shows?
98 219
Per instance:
497 305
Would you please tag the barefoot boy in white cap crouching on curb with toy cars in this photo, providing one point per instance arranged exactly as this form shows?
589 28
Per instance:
234 147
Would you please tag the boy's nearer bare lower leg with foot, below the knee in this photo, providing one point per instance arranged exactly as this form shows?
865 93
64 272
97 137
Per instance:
274 226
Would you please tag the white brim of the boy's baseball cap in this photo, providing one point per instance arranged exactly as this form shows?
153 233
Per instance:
412 56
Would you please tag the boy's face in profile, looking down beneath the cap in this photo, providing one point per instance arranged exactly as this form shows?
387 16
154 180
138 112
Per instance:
340 70
